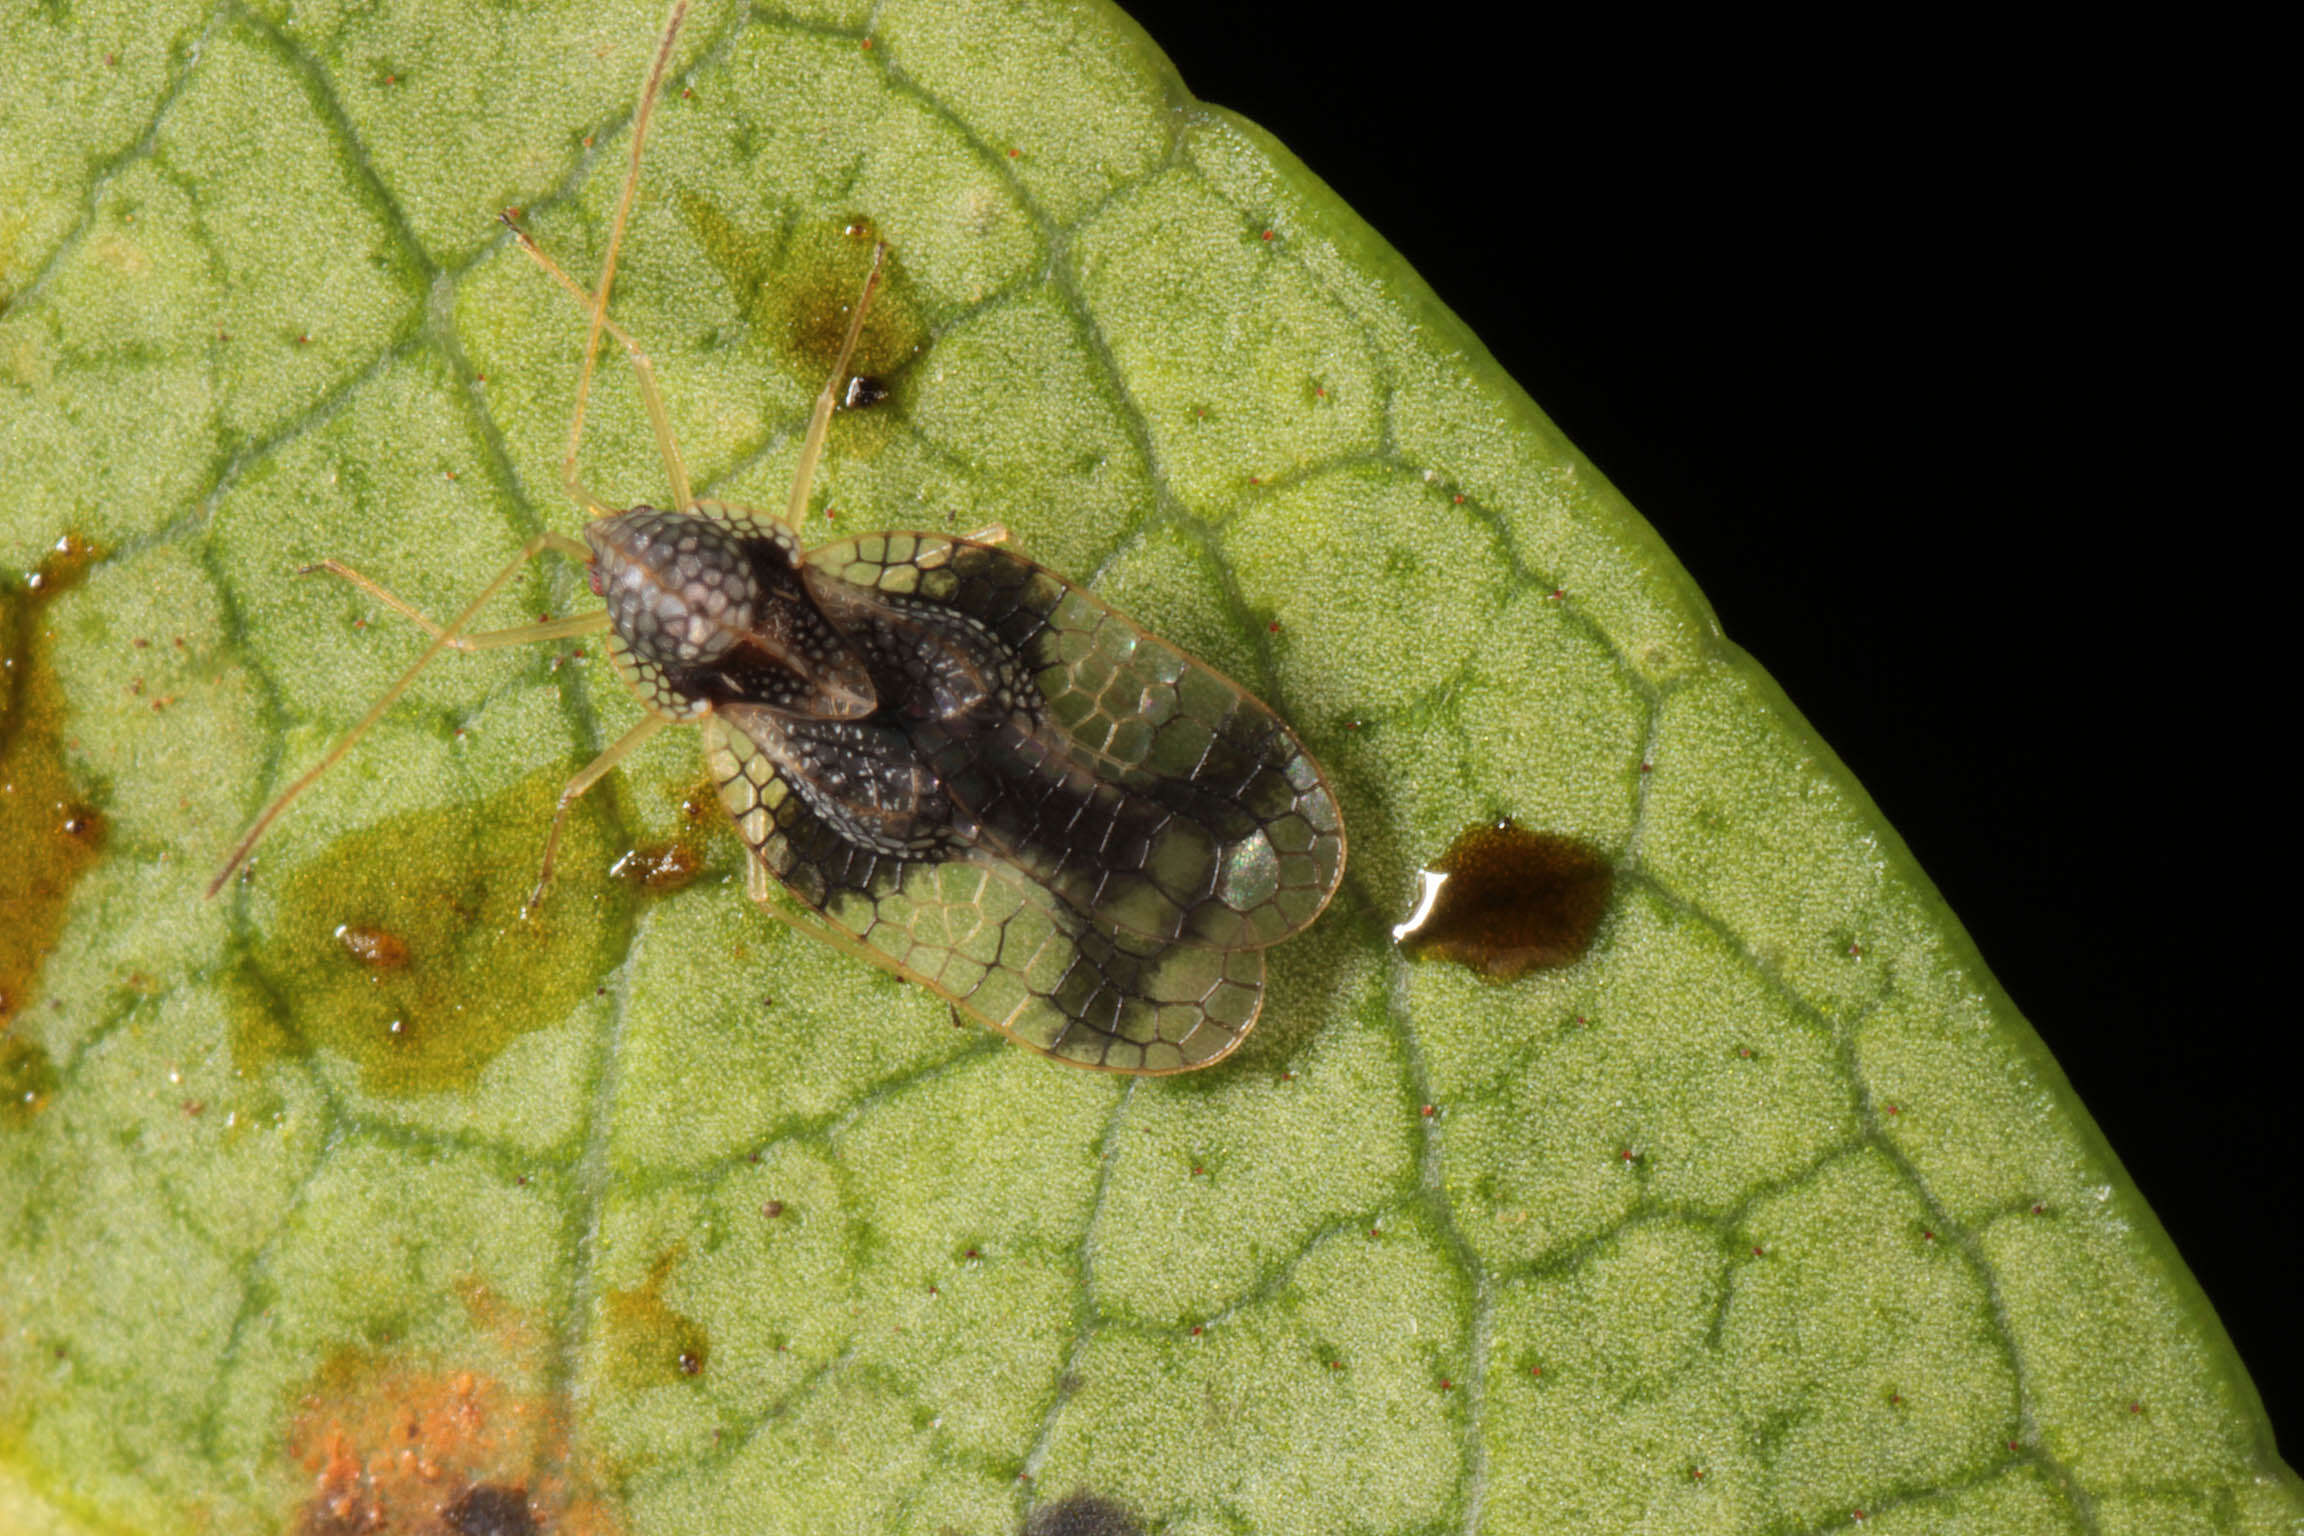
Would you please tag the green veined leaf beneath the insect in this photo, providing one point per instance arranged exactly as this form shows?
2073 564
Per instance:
349 1199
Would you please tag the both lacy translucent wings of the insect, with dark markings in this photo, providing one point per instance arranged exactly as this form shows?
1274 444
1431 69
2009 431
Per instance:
1063 826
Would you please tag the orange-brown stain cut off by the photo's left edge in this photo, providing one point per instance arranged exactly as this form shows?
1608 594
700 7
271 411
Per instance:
50 835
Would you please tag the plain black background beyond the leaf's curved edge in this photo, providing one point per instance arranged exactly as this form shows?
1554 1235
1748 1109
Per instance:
1913 349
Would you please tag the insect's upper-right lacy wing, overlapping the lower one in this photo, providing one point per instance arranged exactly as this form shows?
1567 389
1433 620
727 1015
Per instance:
1137 784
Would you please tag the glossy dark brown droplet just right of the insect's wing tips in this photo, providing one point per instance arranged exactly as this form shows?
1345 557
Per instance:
1510 902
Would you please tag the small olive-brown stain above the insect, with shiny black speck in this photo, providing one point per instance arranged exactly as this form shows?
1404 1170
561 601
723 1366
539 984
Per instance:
798 291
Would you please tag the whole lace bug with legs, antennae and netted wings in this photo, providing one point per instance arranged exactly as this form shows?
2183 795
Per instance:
946 759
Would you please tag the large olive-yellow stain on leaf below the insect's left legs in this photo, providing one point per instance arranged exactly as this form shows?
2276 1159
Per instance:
446 971
